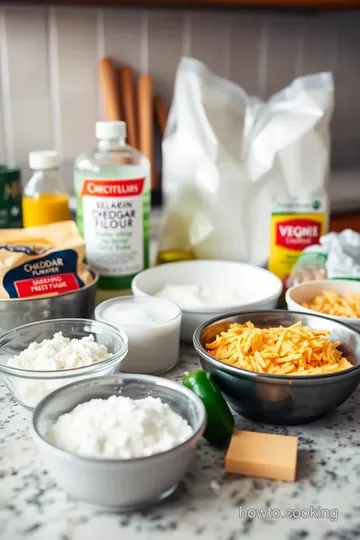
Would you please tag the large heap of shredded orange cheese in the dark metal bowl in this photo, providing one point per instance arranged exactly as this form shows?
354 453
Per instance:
293 350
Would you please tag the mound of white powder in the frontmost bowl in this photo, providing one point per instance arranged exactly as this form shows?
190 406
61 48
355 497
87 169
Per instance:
119 427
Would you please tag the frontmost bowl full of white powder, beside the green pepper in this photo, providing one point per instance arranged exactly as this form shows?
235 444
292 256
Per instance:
123 441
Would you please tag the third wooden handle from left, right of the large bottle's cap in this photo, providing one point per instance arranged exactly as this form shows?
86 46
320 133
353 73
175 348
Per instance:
145 118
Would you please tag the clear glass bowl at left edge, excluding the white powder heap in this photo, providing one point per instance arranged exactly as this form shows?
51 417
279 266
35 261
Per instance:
29 387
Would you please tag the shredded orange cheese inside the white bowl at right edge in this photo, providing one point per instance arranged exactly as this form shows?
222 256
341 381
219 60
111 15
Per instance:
332 303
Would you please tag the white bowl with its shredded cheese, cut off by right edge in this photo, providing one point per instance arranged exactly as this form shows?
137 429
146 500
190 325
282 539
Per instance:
338 299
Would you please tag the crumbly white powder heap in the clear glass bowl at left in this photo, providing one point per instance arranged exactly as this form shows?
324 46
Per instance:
60 353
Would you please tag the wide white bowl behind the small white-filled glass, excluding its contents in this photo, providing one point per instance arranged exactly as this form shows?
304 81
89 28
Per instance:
261 289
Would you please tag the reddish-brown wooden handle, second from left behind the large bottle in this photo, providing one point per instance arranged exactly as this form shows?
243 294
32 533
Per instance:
127 95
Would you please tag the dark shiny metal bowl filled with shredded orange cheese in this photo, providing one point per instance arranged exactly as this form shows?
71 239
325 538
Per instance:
281 367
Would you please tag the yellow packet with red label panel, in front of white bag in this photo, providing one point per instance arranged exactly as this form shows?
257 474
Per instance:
294 227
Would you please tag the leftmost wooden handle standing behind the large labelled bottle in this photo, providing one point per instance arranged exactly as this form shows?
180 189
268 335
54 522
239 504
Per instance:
109 85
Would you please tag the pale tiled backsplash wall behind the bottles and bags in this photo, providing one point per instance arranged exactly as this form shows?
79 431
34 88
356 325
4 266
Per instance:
49 91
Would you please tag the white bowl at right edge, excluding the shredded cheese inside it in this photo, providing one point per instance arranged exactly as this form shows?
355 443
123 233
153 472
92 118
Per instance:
304 292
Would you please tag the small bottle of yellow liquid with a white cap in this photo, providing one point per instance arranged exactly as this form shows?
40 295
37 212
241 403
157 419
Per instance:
45 197
